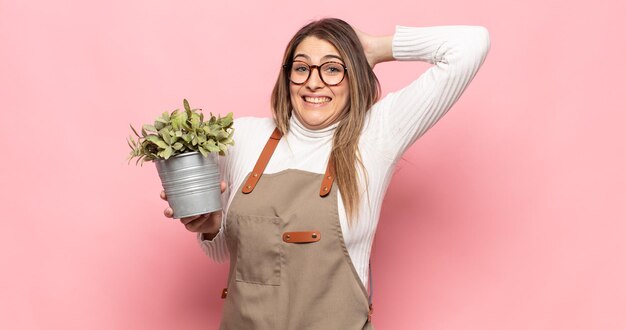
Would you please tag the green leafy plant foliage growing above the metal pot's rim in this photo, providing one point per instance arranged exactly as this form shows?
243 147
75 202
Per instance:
180 132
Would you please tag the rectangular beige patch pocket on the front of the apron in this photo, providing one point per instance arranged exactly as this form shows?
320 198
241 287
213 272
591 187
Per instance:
259 250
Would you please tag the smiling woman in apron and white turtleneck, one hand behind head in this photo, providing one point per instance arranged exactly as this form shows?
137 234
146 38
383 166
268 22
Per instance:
303 190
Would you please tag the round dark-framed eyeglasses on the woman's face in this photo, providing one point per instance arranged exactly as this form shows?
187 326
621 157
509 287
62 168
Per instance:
331 73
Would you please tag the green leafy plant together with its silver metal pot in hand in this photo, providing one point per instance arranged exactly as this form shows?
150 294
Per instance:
183 147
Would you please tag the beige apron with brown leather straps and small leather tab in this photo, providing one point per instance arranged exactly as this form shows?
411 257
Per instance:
289 266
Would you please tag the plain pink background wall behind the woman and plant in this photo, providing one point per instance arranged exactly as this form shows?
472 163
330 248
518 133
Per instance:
509 214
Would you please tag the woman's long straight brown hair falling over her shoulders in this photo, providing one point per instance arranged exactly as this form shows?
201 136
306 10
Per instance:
364 92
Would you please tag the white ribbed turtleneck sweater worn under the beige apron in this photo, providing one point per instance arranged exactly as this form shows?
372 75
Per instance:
392 125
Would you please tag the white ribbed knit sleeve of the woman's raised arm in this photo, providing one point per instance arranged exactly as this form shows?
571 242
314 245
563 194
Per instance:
457 53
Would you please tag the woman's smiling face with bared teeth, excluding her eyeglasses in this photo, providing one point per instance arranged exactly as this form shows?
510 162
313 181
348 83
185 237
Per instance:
315 104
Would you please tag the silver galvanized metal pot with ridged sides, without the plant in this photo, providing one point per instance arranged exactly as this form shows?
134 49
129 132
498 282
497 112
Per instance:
191 183
